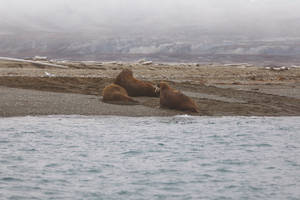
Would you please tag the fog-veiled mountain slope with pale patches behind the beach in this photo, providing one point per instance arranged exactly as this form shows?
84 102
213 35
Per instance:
28 37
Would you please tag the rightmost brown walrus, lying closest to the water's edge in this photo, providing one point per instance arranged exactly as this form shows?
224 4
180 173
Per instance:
173 99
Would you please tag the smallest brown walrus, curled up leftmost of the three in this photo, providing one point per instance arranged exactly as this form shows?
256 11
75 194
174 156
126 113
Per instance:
114 93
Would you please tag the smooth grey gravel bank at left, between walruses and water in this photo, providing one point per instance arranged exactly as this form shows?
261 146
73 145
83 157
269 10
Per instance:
21 102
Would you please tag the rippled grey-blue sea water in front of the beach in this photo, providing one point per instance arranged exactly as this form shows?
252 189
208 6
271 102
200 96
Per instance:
181 157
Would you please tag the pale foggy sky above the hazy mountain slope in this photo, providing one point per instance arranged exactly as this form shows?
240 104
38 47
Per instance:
78 14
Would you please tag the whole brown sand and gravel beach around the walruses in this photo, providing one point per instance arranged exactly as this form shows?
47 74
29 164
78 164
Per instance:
29 89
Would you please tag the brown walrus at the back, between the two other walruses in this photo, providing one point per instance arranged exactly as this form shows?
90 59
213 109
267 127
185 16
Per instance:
136 87
